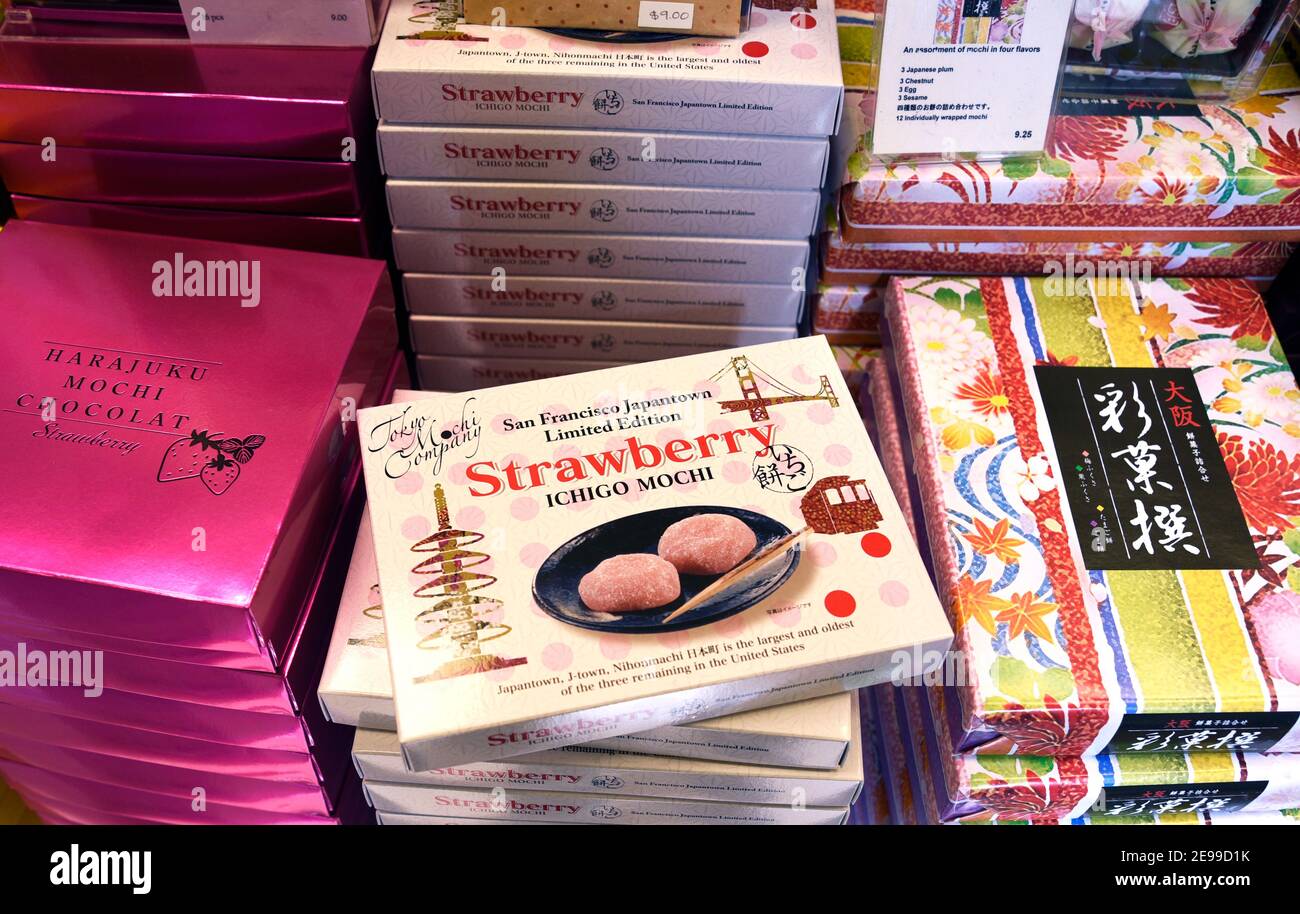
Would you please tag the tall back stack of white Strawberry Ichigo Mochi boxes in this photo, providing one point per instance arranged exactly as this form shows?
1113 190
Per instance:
569 203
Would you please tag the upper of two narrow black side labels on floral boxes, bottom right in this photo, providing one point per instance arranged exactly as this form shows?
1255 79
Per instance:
1215 731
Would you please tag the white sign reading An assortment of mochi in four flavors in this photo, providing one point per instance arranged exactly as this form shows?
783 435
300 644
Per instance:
969 76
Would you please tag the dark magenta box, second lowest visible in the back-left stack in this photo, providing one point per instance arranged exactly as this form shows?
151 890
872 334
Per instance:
188 181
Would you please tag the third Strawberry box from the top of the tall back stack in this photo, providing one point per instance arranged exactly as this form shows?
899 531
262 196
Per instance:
632 210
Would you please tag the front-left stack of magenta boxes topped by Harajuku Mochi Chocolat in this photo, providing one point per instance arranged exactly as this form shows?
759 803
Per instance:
177 505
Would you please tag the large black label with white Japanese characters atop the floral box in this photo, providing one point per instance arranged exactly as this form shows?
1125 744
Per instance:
1142 470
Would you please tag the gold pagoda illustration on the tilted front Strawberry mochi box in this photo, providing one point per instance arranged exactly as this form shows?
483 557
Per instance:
460 622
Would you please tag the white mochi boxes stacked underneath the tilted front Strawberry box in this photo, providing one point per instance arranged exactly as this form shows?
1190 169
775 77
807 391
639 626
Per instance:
798 764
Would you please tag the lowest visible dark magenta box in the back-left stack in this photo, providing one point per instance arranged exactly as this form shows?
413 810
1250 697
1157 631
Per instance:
350 236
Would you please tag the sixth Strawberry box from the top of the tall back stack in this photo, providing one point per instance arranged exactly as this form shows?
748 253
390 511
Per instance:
612 341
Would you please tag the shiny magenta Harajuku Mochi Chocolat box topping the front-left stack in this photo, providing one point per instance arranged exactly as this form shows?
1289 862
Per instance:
150 389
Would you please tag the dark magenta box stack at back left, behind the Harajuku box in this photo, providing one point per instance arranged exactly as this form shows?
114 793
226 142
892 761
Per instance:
115 119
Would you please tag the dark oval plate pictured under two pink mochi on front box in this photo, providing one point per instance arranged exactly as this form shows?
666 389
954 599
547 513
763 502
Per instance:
556 586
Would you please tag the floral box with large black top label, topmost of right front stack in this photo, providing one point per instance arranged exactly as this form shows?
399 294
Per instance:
1160 649
